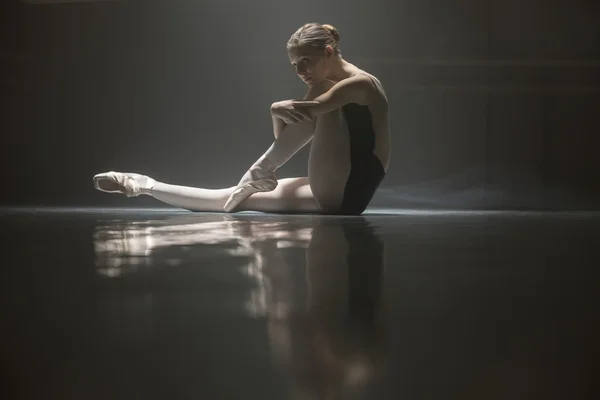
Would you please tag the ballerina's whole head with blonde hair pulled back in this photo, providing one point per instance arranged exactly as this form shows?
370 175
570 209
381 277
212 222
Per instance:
312 50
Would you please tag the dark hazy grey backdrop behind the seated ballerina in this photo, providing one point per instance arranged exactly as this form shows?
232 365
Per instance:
494 103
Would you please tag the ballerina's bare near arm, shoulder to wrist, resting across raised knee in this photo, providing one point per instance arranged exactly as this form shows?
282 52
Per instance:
358 89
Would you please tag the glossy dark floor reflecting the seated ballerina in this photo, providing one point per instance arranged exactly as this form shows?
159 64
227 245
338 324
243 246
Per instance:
151 304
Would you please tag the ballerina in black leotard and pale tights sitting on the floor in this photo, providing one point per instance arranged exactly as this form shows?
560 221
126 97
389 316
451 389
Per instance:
344 113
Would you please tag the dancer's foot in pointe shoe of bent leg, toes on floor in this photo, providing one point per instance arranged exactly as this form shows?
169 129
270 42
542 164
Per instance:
260 178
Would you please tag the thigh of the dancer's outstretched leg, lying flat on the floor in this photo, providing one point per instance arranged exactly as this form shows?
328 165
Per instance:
292 195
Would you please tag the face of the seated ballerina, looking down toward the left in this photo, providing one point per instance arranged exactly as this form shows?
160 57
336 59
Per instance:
310 63
